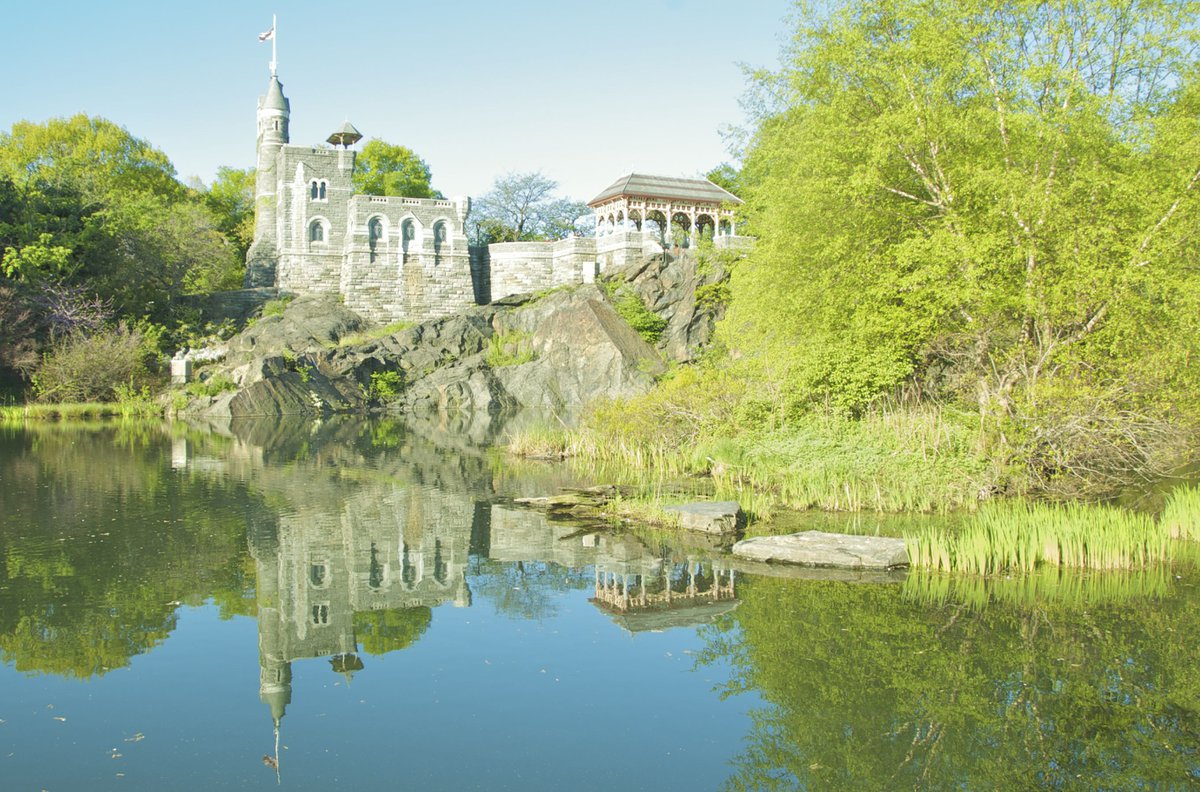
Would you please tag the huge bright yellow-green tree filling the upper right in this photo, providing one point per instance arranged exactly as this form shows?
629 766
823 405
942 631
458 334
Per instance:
992 202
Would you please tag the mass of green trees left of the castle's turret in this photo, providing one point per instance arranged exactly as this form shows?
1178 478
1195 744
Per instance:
92 212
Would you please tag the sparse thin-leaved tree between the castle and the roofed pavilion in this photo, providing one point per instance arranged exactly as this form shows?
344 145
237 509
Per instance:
524 207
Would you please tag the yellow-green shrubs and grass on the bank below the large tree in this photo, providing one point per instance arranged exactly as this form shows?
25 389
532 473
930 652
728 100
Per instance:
707 423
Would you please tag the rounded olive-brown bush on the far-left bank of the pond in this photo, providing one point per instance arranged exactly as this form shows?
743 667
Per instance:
92 368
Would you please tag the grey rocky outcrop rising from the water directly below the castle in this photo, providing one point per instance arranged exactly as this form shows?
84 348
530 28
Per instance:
553 355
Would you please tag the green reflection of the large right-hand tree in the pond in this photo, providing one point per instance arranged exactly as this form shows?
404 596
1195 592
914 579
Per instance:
872 687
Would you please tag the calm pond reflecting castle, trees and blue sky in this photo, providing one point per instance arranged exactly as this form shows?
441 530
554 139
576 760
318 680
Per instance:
359 604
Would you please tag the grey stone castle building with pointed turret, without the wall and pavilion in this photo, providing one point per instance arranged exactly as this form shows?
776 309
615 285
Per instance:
389 257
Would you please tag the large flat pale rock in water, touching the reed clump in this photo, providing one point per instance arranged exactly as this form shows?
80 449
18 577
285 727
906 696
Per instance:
820 549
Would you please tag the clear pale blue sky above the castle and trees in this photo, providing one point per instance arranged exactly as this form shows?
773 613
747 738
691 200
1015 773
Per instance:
584 93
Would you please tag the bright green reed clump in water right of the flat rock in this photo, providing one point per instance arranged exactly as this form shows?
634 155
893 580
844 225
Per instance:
1023 537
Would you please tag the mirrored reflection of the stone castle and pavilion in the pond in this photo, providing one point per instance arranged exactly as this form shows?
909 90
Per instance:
349 571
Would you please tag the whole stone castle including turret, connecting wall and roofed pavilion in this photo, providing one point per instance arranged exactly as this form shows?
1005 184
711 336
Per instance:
393 259
